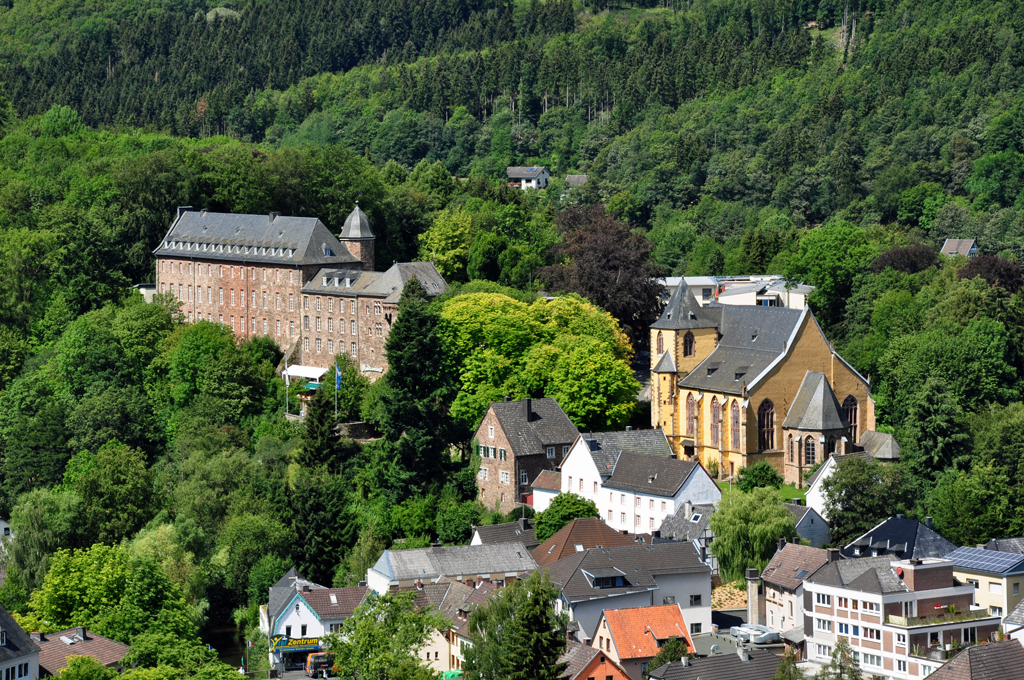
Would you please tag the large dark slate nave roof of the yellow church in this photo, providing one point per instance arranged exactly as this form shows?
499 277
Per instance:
752 337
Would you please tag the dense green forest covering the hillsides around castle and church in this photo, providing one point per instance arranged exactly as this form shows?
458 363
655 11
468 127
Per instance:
837 144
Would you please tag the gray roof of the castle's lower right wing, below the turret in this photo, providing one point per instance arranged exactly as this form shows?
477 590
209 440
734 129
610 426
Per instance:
387 285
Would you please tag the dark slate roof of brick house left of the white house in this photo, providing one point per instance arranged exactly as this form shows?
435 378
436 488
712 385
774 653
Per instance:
548 426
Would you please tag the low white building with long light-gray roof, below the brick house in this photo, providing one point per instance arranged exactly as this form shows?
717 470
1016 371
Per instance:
474 566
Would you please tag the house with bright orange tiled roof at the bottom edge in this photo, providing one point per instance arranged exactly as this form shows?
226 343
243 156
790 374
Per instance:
633 637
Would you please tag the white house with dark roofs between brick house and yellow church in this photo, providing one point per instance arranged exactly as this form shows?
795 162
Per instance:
633 479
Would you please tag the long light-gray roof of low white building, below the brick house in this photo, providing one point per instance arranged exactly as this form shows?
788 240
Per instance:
432 564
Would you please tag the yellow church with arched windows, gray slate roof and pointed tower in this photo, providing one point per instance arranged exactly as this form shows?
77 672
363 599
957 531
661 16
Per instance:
724 379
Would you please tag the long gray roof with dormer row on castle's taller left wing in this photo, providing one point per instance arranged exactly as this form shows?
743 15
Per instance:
253 239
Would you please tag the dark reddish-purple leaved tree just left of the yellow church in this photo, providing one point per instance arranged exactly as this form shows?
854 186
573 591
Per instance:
603 261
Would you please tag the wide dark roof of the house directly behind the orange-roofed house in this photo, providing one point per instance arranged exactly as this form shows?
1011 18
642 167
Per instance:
638 564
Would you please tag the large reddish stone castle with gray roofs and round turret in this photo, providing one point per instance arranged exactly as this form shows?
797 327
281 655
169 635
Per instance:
290 279
